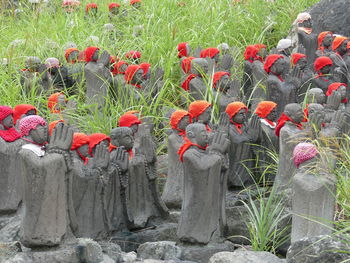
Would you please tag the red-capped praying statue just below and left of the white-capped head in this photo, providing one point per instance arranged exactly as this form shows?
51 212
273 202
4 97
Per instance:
279 90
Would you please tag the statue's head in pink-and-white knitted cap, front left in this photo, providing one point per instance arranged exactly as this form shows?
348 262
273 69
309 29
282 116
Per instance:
34 128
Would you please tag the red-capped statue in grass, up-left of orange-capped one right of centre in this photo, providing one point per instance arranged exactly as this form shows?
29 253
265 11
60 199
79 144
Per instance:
222 91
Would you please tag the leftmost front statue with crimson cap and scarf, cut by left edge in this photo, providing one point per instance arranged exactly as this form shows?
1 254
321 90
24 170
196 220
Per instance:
10 177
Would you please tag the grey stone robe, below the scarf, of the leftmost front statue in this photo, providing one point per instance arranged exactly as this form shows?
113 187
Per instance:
11 186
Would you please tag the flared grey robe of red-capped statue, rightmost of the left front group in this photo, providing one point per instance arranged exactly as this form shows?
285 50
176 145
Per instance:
143 198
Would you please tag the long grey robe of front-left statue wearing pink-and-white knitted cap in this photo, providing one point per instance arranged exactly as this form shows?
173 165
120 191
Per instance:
46 216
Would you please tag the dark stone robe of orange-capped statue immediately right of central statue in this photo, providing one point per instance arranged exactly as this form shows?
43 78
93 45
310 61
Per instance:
240 157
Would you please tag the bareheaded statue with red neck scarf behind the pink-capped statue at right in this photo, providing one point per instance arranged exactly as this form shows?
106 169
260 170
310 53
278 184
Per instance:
290 132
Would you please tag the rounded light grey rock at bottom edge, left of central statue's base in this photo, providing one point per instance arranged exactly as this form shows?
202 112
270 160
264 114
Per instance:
164 250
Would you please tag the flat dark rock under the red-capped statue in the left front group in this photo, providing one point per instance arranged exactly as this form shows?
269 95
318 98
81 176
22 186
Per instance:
129 241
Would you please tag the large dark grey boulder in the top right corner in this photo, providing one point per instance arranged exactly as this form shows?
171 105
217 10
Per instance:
331 15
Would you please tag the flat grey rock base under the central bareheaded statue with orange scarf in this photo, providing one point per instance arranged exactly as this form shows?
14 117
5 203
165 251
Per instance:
202 254
